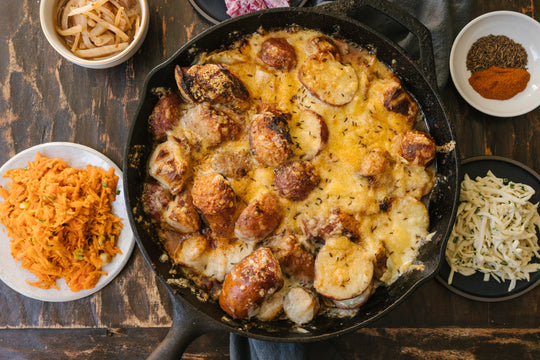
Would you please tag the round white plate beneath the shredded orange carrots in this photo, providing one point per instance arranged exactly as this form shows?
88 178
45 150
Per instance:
77 156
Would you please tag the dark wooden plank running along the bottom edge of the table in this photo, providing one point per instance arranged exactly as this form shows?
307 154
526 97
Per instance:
371 343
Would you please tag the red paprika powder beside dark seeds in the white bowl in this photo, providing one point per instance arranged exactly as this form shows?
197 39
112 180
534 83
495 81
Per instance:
499 83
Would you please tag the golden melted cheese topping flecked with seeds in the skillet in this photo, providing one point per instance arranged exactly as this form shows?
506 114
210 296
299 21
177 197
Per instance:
354 129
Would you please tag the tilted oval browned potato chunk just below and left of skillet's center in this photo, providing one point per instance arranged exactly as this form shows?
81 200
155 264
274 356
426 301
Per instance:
259 218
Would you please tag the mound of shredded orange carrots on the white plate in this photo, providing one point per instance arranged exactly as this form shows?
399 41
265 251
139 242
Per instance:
60 221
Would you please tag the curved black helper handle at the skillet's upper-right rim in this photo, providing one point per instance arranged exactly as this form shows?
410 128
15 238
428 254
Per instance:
351 9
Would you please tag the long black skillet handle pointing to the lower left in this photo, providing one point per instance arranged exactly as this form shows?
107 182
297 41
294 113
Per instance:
185 328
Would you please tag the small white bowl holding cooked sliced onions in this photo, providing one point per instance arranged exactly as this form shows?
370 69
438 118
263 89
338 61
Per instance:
47 17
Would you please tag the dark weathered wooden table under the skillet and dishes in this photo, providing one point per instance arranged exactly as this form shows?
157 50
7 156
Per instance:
44 98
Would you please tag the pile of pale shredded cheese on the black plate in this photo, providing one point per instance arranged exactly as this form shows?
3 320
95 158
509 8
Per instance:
495 231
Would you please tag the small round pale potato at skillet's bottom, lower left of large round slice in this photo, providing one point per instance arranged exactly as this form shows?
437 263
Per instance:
300 305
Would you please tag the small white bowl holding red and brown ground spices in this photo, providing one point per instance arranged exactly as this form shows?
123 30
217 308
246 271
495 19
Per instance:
518 27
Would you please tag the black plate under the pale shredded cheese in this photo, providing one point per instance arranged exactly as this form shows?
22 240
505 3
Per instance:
473 287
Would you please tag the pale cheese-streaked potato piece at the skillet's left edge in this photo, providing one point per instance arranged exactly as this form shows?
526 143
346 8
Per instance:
170 164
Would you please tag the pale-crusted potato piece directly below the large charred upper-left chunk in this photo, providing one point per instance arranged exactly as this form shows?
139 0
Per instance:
209 126
